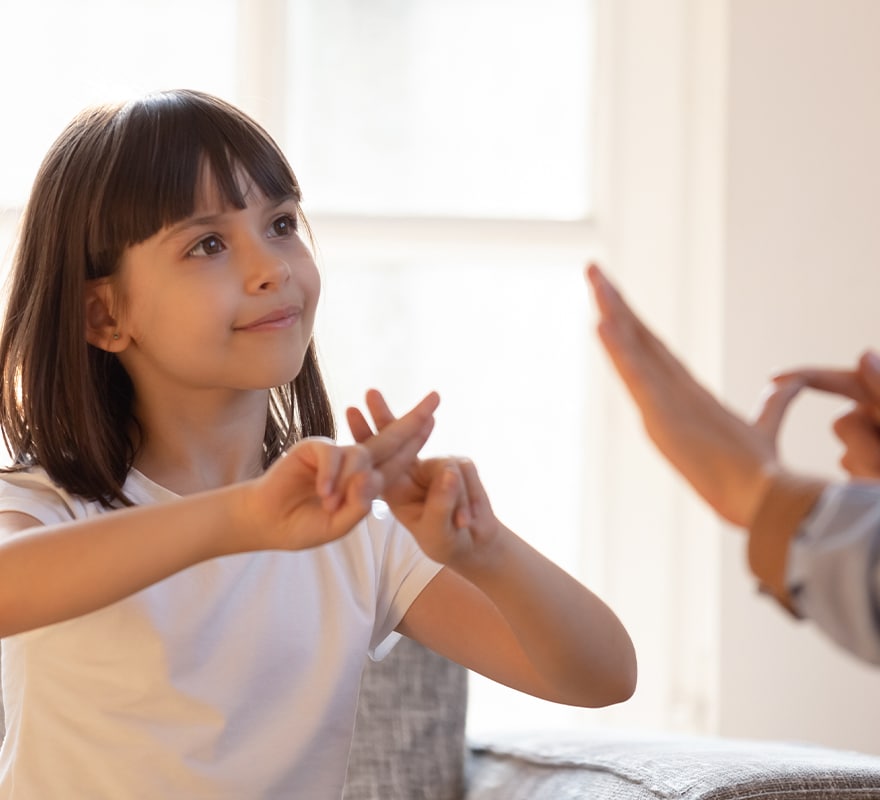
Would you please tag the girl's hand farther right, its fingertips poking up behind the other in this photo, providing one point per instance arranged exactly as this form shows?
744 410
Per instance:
441 501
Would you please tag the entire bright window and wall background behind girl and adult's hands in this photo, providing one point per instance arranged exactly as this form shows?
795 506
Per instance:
460 162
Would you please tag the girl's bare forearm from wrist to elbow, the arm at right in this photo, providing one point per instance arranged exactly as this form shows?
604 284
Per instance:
574 641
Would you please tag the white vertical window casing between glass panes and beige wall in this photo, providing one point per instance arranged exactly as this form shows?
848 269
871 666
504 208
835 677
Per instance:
662 225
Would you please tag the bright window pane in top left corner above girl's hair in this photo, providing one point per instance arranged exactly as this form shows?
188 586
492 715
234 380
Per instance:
58 57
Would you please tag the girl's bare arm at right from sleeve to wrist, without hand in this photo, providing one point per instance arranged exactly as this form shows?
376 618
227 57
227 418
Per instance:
524 622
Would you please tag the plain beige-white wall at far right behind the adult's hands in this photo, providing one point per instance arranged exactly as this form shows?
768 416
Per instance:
801 267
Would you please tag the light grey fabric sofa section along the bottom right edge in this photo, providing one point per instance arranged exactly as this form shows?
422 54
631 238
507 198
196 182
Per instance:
615 765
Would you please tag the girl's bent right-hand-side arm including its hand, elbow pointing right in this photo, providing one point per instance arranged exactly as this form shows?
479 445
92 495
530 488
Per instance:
500 607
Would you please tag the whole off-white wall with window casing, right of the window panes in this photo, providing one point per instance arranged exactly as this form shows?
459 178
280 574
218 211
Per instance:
743 182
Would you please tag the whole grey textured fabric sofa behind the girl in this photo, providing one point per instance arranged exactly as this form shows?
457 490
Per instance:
411 744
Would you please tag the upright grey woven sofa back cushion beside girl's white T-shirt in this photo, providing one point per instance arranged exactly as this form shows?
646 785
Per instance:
409 736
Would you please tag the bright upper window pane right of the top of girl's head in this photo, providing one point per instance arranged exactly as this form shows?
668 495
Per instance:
466 108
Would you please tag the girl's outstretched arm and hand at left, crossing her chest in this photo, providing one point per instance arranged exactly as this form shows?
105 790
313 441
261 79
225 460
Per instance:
314 494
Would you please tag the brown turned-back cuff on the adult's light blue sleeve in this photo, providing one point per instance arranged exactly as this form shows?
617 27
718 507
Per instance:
781 511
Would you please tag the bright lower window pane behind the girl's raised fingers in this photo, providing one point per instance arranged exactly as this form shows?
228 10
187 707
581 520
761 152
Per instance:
505 345
